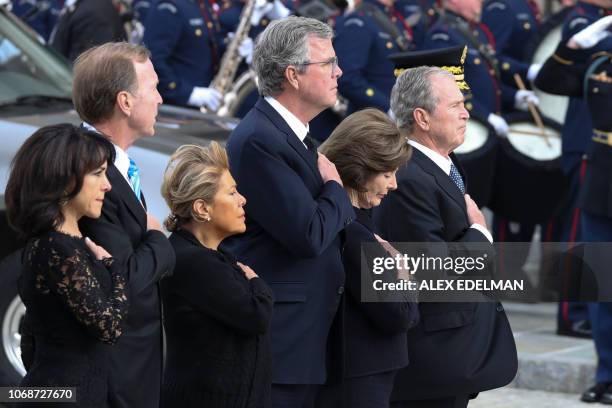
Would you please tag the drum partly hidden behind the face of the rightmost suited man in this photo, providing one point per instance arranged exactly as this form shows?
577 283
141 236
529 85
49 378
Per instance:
477 157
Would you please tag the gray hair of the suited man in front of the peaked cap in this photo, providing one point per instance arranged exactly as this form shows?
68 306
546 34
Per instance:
413 89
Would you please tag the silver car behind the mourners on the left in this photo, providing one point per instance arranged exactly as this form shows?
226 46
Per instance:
35 86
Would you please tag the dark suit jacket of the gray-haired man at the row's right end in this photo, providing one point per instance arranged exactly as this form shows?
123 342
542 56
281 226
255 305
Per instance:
457 348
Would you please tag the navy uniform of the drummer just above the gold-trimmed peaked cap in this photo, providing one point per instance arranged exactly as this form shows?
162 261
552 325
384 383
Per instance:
482 65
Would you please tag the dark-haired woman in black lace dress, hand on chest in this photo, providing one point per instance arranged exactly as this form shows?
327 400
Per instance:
73 290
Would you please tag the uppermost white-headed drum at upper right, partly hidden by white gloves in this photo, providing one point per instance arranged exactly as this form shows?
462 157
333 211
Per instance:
543 45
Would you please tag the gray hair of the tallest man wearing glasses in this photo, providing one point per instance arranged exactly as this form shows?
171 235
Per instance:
284 42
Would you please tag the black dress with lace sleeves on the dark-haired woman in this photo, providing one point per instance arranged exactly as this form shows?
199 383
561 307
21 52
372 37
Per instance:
75 307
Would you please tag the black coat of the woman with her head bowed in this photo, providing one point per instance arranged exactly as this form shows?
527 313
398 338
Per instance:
375 332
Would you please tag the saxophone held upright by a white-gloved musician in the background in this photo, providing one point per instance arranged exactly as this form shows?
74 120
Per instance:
223 82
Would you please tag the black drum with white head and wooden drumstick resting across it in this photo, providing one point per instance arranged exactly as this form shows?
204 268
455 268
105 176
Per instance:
529 182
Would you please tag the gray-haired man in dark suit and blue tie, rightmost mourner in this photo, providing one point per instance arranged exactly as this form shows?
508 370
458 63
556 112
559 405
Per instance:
457 349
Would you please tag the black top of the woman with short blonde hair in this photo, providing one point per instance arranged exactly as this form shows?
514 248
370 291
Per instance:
217 329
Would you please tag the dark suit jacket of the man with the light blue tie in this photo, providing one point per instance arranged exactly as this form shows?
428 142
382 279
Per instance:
136 359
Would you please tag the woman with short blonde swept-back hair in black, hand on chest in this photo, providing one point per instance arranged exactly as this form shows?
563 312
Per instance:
217 311
